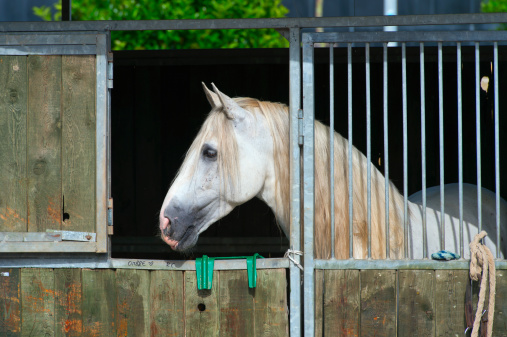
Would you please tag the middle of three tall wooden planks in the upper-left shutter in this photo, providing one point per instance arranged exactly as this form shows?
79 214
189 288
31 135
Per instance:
44 143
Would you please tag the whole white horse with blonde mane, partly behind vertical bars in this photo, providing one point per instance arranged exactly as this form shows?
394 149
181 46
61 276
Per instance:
242 151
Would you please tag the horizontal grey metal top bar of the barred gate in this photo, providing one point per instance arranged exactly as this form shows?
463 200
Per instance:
405 36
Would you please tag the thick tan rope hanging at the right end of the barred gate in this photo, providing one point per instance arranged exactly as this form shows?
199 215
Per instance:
482 266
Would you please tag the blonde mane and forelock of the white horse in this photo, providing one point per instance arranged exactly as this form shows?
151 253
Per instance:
277 116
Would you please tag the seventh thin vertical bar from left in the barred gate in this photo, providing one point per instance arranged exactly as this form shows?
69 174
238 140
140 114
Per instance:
441 143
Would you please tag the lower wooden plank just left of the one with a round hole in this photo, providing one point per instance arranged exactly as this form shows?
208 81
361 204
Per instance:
166 298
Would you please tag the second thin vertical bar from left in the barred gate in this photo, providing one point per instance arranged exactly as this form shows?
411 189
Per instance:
351 157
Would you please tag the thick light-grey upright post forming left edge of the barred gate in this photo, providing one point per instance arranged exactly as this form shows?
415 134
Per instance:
308 184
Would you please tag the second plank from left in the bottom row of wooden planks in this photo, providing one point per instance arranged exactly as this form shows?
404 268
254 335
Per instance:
38 302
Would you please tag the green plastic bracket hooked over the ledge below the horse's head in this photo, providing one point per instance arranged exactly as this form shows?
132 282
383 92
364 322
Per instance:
204 269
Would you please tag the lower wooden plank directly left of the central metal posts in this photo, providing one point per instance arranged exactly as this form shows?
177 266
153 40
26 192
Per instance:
270 301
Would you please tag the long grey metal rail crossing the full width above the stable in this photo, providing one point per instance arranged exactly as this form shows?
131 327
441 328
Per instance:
356 21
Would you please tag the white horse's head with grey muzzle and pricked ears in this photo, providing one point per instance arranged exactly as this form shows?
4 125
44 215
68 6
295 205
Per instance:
228 163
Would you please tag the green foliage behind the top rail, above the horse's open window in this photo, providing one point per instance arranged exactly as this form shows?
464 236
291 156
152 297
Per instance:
178 10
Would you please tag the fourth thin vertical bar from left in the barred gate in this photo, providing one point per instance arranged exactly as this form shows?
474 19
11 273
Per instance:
386 153
